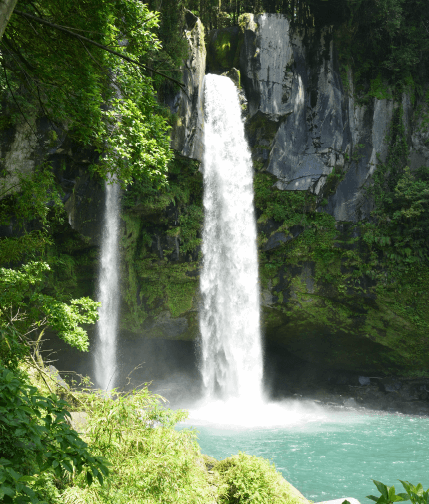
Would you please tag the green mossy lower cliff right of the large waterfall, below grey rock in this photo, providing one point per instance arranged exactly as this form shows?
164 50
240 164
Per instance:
325 294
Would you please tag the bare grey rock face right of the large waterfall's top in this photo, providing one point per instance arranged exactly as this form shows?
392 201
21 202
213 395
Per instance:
293 79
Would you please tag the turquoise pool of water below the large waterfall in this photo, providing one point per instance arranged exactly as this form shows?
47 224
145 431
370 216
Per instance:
336 455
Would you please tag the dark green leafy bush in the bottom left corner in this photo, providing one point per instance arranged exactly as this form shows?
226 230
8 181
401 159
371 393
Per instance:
36 439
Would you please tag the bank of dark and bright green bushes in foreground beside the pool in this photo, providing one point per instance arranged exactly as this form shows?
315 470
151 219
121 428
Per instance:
128 451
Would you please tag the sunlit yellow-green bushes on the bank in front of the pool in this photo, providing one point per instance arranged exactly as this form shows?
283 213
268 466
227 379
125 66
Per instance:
152 462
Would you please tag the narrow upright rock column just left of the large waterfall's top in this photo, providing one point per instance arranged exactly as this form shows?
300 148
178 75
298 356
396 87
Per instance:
187 134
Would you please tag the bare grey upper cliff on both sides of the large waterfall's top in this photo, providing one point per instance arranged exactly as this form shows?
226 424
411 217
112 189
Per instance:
303 122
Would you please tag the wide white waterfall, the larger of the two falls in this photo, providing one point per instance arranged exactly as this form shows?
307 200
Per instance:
229 318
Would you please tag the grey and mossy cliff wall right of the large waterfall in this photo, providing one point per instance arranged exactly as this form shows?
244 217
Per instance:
315 148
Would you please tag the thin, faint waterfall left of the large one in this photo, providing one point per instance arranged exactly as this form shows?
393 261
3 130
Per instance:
108 292
